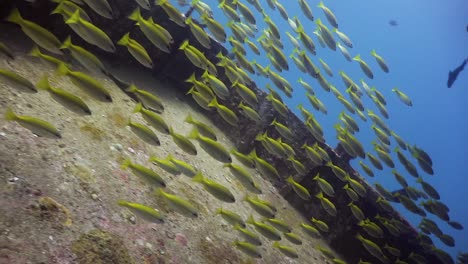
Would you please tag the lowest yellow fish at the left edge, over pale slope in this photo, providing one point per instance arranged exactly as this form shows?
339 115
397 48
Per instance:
36 125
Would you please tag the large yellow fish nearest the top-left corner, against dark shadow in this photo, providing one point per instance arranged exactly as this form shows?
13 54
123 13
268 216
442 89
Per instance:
41 36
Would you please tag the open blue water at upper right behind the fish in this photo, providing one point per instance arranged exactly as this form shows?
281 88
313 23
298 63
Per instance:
431 38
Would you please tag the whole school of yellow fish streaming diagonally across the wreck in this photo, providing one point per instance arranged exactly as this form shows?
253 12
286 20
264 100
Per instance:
253 29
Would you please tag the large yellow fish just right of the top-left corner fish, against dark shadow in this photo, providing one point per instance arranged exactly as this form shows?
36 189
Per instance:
90 33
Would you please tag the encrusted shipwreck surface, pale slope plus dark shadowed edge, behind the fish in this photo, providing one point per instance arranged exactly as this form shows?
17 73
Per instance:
81 171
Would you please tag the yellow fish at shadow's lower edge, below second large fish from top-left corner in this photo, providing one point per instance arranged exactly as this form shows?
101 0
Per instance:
84 57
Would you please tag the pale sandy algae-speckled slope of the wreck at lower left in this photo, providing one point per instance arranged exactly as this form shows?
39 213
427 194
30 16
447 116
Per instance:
58 198
